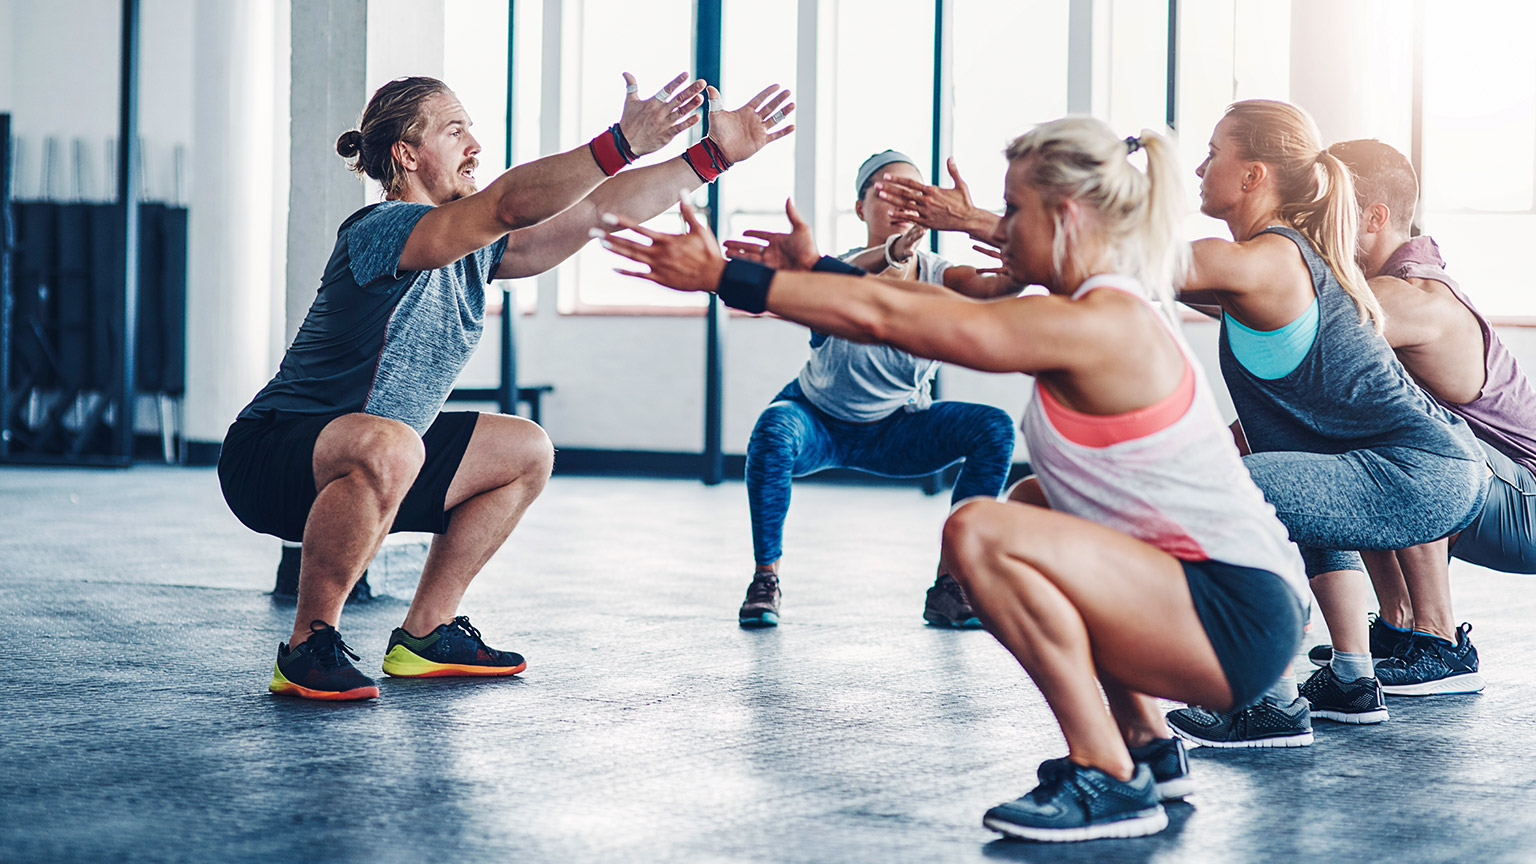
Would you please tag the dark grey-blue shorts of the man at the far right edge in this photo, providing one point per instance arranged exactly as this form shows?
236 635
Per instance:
1505 534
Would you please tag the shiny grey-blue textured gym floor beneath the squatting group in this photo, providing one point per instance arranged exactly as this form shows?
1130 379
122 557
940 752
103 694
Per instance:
139 639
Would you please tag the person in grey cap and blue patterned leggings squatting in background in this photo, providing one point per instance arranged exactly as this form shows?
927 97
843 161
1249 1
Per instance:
869 408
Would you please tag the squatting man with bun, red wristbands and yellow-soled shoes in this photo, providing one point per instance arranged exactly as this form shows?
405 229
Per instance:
348 445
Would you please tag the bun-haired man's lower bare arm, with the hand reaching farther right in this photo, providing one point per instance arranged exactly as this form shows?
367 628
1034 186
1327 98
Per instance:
644 193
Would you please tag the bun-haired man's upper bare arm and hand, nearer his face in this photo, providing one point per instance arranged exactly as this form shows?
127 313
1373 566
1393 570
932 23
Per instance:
532 193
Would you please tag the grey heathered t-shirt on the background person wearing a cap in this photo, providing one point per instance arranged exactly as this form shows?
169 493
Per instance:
864 384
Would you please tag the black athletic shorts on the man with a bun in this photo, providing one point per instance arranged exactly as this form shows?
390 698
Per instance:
268 473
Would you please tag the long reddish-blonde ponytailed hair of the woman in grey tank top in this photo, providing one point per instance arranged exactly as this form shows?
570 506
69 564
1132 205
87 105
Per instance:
1317 193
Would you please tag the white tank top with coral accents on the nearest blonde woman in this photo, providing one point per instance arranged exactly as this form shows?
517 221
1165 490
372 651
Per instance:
1182 488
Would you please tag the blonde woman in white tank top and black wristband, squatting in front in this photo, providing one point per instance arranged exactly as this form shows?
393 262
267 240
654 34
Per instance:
1087 583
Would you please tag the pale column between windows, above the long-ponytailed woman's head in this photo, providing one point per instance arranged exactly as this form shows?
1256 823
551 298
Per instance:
1352 68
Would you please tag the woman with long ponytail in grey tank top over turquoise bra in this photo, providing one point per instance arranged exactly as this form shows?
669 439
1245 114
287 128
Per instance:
1348 448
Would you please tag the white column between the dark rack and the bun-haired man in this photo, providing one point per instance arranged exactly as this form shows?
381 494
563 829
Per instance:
231 262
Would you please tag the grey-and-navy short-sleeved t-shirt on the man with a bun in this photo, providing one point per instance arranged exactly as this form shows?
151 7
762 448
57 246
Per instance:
380 341
